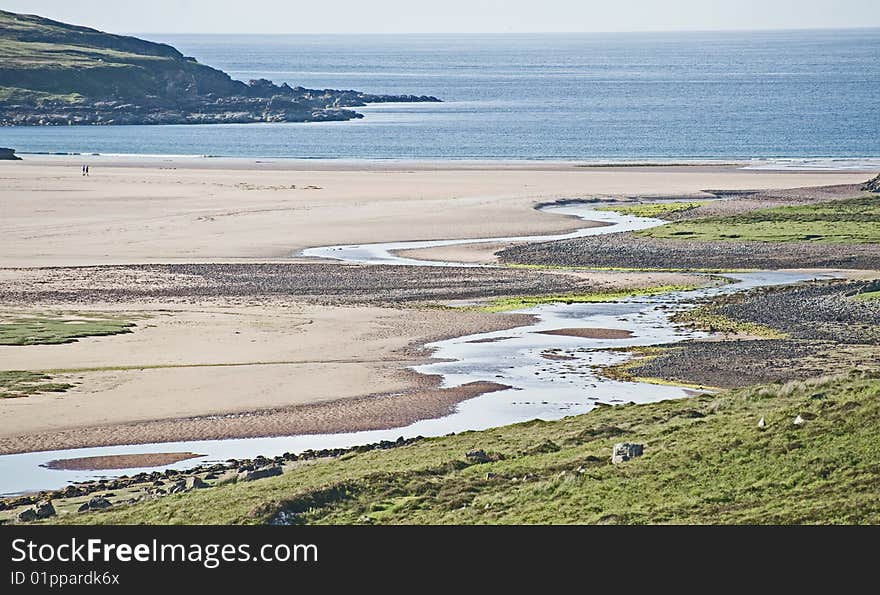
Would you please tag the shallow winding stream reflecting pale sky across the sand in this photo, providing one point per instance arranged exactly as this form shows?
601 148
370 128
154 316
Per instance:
550 376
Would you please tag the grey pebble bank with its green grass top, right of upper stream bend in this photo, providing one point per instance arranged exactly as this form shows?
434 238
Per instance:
828 227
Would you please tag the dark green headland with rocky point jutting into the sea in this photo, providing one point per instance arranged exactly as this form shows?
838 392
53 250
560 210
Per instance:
53 73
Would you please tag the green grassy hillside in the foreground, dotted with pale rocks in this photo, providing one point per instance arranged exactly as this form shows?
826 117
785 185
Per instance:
705 461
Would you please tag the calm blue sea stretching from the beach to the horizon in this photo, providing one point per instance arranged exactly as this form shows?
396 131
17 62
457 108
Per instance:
637 96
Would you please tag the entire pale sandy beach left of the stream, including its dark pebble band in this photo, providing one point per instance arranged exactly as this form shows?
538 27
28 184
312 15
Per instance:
268 343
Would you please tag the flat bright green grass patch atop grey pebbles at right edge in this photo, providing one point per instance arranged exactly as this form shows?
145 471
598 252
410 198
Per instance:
851 221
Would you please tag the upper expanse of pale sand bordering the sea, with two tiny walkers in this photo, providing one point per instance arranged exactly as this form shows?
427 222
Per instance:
196 211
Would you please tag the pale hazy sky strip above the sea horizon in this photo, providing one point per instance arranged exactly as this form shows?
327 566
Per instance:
450 16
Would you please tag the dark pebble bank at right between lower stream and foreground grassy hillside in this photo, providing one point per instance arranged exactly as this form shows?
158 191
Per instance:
824 328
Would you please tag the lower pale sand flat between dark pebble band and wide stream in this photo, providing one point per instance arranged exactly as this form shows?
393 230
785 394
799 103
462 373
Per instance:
215 365
